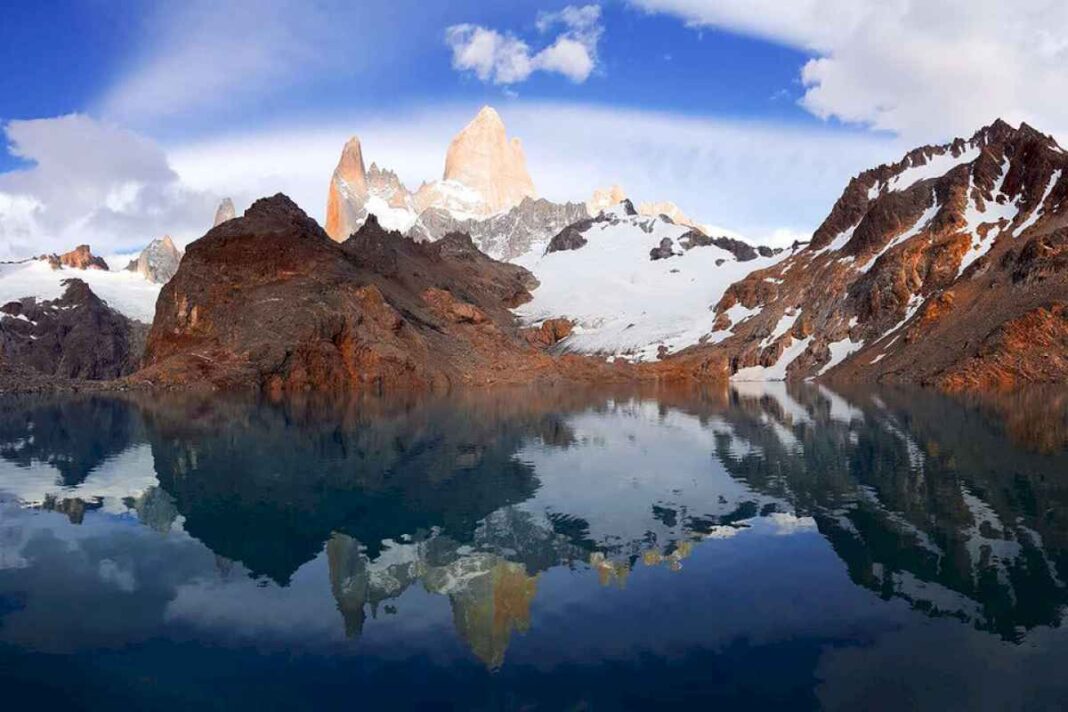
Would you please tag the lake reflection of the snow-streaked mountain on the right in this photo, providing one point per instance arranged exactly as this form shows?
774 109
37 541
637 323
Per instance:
926 499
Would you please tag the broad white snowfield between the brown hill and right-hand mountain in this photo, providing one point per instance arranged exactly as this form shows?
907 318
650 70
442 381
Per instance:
623 302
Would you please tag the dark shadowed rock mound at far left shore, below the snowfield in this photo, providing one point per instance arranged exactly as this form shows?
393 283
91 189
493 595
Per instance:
76 337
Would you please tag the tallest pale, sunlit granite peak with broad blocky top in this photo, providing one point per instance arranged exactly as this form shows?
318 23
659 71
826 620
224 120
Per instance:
482 159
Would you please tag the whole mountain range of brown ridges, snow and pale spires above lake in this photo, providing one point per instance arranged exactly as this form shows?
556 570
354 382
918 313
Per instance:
945 268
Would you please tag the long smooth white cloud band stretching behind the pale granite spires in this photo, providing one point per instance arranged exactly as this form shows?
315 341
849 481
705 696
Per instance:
769 182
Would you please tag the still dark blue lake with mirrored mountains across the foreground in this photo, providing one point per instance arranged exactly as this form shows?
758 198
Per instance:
767 546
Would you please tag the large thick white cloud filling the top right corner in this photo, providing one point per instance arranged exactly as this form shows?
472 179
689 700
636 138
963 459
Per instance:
924 70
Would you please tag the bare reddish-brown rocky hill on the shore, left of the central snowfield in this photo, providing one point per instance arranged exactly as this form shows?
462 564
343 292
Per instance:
270 300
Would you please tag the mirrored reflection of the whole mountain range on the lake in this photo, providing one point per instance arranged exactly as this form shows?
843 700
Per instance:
957 508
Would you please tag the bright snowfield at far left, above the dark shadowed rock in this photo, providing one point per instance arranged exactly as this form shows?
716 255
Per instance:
127 292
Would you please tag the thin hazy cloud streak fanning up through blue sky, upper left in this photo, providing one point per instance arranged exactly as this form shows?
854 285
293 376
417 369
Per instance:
201 55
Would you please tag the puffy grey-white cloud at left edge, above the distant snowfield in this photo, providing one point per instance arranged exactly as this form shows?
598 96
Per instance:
91 183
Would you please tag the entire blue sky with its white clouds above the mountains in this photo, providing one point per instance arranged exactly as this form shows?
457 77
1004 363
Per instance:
751 115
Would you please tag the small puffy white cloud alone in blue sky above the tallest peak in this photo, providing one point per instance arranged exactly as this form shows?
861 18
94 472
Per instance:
506 59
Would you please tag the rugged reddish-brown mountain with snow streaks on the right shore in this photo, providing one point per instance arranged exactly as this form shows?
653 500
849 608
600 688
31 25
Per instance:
946 268
